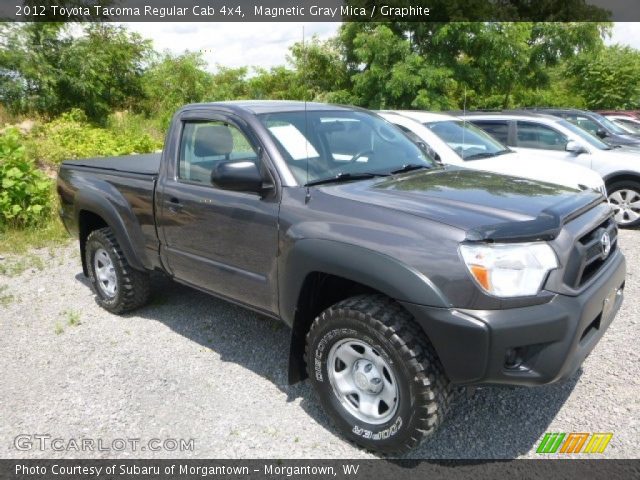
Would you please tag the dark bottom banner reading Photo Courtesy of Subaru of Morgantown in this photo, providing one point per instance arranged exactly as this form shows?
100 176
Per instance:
320 469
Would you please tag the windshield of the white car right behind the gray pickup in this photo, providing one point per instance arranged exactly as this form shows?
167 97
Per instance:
467 140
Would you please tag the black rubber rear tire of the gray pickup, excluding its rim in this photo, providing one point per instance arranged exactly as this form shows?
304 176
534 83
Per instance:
132 287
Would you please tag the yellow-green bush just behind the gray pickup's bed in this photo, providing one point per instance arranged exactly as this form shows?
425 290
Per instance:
71 136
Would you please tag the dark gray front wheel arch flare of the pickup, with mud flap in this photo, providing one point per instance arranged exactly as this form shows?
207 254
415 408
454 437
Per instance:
319 273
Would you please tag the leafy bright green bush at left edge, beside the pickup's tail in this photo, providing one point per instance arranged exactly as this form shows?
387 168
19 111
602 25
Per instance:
25 196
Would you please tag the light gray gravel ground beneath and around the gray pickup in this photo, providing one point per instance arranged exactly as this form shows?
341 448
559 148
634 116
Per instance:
189 366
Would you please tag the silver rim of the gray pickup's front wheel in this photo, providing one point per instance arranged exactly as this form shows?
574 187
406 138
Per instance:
363 381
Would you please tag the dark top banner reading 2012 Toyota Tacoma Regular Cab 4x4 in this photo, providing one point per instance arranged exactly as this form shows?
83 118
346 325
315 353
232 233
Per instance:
318 10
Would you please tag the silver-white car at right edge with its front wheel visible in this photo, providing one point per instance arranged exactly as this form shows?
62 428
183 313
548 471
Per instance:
533 132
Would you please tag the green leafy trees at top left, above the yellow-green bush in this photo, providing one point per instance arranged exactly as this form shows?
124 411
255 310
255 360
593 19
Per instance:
44 69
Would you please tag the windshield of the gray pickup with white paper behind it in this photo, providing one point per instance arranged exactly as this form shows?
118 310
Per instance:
341 145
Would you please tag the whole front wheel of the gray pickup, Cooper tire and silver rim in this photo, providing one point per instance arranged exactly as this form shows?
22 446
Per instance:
376 374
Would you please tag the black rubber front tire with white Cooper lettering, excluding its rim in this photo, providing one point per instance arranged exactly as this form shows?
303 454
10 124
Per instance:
424 392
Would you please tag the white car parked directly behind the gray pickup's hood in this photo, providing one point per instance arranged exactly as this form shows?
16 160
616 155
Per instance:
455 142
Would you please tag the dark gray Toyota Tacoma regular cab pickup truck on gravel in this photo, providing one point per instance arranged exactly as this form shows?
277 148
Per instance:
399 277
